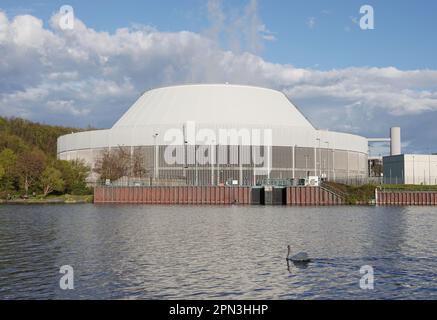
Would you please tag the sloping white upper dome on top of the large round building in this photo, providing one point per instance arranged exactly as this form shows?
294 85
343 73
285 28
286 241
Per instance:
217 104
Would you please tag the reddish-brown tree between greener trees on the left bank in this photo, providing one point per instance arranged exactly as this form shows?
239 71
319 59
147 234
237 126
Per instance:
29 167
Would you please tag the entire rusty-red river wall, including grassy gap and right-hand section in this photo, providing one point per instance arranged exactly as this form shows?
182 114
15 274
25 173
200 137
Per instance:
325 195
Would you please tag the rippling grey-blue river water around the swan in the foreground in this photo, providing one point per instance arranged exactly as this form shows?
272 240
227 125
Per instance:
195 252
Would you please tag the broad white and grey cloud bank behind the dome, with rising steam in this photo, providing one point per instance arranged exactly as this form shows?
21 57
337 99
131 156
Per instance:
93 77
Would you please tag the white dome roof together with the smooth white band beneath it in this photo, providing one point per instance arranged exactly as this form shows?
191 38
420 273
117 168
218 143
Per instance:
214 107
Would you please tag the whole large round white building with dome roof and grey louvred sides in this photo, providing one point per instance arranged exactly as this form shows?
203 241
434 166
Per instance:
265 121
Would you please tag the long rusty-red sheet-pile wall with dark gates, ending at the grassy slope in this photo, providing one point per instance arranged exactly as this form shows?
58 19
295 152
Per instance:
217 195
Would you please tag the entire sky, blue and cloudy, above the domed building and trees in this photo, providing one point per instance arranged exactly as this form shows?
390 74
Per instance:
342 77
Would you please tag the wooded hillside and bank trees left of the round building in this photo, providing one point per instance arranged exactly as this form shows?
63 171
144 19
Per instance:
28 163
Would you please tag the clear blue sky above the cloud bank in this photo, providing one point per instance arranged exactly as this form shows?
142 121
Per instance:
405 34
